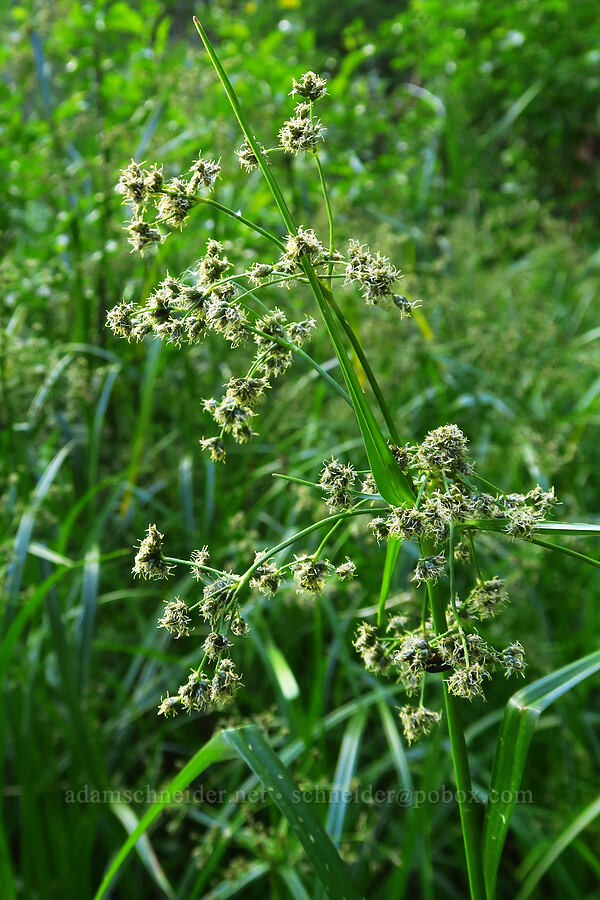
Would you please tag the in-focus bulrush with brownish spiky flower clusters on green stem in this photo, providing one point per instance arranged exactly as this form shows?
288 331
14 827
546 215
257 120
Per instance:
426 492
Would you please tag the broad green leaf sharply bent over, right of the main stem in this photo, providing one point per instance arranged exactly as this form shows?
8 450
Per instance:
516 731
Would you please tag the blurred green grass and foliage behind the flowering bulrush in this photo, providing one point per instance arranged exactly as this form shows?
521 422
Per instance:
463 140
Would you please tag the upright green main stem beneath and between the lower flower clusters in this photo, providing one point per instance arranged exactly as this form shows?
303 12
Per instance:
470 815
